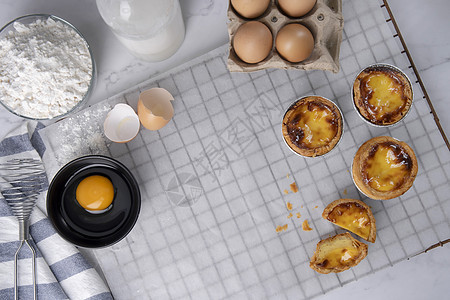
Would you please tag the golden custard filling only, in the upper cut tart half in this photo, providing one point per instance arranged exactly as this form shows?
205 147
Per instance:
353 217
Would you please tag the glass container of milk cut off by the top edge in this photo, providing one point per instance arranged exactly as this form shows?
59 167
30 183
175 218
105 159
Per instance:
152 30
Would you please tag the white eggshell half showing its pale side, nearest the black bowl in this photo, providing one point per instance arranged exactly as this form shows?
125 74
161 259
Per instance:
121 124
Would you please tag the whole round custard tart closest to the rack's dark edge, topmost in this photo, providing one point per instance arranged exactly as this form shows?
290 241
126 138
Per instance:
382 94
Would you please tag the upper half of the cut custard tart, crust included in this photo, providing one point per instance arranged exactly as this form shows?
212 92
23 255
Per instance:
353 215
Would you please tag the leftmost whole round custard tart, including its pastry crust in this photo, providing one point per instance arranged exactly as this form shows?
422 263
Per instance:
312 126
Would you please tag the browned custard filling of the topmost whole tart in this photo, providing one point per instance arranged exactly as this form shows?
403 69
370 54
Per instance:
383 95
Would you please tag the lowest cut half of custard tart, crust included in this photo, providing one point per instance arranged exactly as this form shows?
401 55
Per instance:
337 254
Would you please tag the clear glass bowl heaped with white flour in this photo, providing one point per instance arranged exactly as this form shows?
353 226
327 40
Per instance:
46 67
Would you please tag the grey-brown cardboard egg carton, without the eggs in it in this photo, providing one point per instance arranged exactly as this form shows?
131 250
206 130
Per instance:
325 22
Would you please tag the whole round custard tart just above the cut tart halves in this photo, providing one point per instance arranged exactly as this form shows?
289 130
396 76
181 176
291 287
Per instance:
384 168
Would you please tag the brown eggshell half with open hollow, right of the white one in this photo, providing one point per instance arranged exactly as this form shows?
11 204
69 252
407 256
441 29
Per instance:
155 108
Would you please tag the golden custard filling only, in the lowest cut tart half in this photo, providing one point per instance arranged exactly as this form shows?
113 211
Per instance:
341 252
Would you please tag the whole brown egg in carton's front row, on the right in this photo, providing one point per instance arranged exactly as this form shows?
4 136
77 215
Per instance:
294 42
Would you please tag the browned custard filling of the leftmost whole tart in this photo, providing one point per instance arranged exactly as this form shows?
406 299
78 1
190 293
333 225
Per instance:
313 125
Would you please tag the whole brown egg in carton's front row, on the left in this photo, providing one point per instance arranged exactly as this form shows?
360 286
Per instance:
252 42
